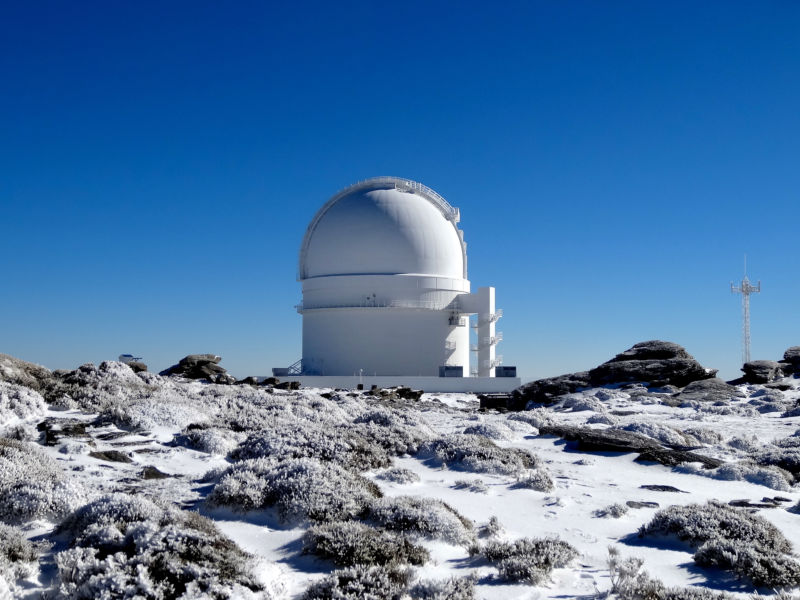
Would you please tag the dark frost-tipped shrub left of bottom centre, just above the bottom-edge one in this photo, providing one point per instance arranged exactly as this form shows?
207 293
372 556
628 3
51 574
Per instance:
352 543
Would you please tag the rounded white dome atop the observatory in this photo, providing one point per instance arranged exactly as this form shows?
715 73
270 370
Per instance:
385 226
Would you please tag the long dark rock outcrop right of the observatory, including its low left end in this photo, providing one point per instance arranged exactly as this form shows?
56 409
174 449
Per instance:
655 363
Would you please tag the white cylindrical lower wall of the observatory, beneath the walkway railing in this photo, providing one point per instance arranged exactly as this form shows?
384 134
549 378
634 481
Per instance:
382 341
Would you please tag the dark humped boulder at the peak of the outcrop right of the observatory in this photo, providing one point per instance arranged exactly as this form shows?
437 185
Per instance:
656 363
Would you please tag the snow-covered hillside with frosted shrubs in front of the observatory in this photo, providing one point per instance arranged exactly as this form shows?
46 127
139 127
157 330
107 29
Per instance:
147 486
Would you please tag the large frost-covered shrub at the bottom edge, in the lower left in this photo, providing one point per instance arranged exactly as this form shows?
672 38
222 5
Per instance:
127 546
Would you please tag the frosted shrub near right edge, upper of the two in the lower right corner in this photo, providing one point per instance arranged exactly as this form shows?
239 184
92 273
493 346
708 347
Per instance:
699 523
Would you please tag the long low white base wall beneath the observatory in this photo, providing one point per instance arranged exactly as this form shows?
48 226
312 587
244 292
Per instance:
475 385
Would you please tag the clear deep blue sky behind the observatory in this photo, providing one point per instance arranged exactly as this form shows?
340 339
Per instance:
613 162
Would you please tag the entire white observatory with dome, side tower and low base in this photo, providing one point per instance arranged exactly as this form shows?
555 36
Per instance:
386 299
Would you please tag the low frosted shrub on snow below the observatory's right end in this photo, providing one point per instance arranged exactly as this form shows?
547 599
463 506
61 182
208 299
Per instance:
477 453
